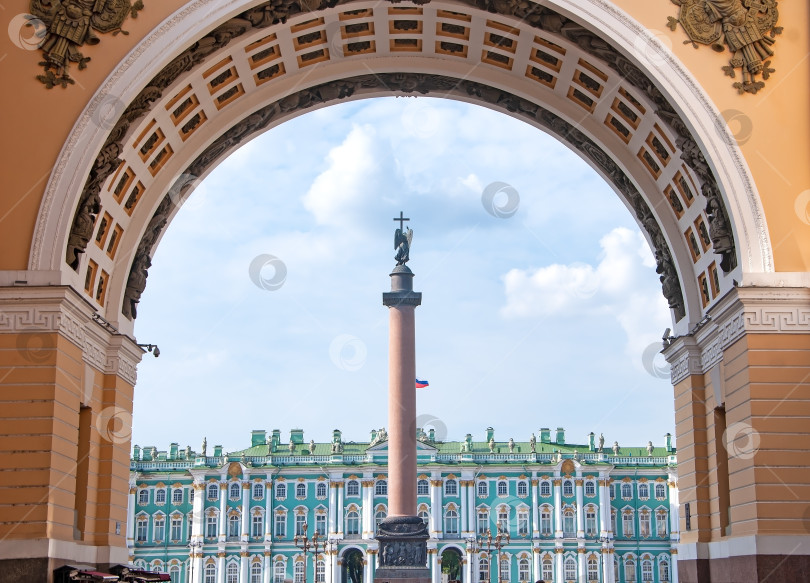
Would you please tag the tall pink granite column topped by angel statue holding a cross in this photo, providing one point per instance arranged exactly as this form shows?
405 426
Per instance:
402 535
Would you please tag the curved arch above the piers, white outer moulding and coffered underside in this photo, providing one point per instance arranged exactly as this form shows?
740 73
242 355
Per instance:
631 113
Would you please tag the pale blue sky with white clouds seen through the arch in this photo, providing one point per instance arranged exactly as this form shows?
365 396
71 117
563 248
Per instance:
544 318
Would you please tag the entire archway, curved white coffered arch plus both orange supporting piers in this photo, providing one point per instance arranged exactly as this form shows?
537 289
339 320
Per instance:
199 86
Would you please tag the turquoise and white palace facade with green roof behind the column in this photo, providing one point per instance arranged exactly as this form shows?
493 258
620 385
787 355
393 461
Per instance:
574 513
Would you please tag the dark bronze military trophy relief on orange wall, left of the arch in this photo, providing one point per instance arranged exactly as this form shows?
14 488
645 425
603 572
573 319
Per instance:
68 25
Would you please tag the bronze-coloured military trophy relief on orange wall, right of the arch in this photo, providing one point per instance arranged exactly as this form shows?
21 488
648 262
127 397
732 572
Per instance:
747 28
